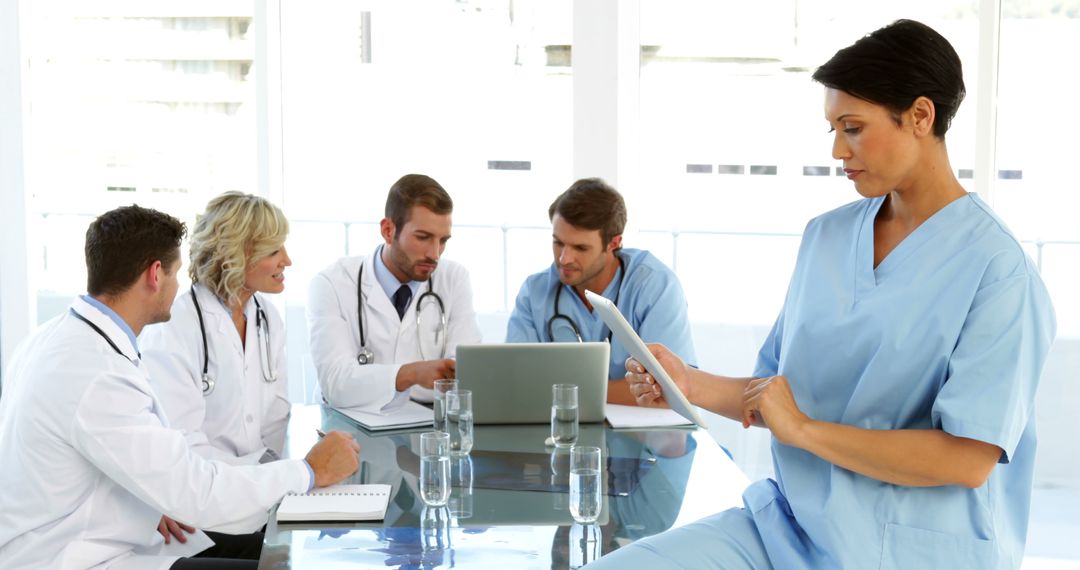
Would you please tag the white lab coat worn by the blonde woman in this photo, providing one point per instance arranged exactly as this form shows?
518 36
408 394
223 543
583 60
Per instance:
245 415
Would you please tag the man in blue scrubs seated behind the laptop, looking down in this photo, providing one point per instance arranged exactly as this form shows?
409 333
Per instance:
588 221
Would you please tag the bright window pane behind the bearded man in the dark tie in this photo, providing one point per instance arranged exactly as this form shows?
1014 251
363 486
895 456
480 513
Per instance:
476 94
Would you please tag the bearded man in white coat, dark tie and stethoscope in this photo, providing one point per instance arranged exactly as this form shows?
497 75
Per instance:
385 328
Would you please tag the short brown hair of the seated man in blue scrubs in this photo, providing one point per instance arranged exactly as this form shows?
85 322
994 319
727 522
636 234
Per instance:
592 205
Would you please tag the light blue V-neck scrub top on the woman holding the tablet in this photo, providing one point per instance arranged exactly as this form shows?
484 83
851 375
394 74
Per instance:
950 332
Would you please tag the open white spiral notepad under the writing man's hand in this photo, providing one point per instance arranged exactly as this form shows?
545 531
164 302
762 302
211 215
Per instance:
337 503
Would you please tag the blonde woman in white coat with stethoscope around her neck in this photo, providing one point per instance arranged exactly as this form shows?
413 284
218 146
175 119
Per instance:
219 365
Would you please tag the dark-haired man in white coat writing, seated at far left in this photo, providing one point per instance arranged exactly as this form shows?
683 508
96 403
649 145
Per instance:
89 462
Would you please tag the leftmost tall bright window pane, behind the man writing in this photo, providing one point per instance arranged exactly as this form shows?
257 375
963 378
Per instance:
130 103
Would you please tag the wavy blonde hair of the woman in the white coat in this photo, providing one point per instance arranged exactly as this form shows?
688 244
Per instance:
237 232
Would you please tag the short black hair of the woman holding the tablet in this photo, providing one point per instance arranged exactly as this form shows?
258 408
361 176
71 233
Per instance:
896 65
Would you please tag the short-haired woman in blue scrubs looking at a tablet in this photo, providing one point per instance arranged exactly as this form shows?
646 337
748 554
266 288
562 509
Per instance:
899 381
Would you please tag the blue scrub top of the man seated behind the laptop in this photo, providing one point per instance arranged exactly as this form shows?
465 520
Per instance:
651 298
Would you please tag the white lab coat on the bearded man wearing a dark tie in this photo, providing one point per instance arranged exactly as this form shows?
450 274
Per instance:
335 334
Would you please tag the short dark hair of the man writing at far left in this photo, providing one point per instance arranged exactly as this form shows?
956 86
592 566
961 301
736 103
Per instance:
124 242
